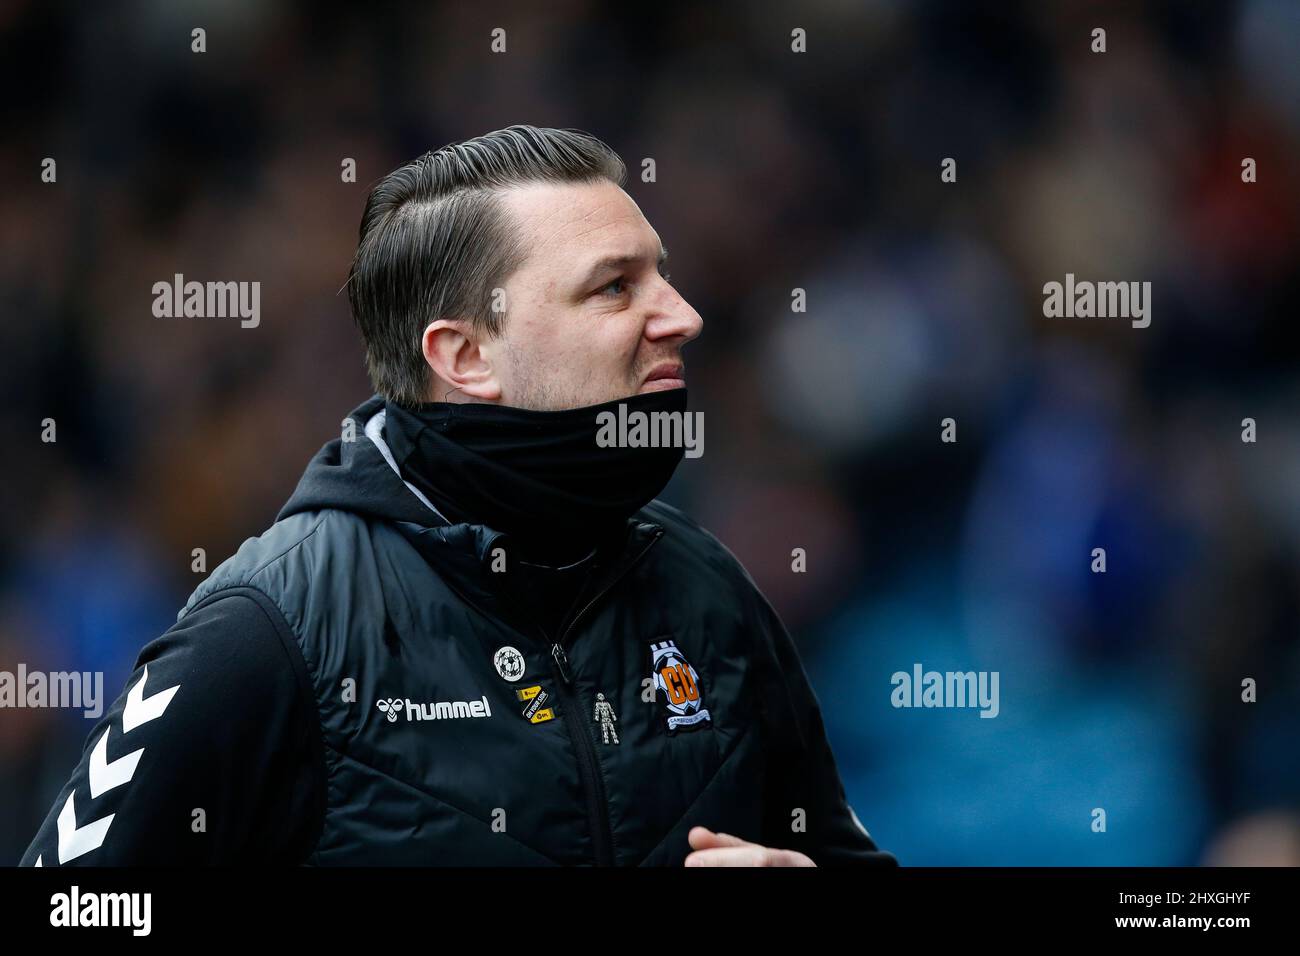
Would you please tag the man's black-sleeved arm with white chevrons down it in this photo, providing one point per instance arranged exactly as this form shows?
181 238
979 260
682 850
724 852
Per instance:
211 755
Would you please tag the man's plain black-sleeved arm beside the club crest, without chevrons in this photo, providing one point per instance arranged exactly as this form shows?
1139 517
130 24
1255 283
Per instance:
803 773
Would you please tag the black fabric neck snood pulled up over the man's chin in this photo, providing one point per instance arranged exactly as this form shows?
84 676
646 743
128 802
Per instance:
540 477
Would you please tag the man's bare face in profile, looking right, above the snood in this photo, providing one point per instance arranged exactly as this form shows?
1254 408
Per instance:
590 315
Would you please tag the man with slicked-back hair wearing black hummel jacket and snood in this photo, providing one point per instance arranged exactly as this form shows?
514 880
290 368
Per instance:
471 637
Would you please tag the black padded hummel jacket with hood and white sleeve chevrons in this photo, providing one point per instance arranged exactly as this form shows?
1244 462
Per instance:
359 686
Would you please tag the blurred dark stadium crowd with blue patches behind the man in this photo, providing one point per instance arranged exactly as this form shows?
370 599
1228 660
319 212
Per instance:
775 171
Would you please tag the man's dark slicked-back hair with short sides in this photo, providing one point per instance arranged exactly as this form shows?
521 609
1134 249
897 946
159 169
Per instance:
436 243
